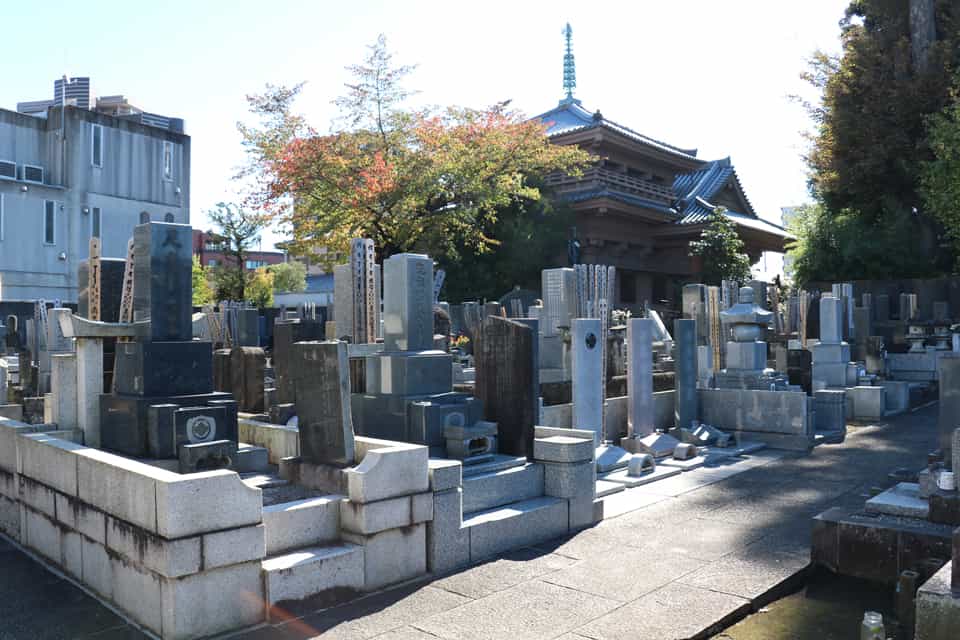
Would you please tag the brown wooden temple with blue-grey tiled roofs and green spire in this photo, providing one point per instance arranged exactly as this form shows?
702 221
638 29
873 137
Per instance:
640 206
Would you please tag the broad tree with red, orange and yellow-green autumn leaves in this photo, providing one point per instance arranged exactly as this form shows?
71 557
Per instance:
430 180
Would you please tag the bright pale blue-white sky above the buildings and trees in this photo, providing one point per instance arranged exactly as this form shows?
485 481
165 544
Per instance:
706 74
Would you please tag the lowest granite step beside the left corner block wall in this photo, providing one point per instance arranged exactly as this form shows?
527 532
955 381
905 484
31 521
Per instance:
312 571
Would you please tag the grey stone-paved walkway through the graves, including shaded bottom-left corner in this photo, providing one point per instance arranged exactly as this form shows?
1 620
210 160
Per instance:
687 556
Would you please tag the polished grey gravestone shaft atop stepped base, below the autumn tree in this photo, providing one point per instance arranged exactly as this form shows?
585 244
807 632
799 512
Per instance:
408 303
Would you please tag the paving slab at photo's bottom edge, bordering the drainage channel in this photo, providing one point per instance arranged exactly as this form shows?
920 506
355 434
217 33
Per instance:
674 612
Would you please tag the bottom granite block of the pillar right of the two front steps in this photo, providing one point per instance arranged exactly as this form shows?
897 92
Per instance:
392 556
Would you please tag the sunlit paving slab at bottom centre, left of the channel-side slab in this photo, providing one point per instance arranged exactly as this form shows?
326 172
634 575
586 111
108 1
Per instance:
511 615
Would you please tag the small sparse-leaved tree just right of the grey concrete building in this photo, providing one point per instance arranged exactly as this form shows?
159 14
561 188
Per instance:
238 229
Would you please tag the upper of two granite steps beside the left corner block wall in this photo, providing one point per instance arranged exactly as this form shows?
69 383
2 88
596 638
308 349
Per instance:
301 523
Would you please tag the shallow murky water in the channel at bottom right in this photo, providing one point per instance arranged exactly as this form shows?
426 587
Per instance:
828 607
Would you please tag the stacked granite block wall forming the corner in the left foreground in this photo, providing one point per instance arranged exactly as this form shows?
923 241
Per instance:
180 555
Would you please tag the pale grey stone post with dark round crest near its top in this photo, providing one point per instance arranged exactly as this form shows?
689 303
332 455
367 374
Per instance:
587 376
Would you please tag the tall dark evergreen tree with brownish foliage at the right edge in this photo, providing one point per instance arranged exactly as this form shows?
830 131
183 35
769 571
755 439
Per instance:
869 141
